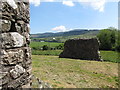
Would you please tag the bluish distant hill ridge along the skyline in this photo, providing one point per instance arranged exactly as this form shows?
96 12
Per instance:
68 33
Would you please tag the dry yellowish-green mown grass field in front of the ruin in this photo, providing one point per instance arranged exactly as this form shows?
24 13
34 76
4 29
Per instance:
73 73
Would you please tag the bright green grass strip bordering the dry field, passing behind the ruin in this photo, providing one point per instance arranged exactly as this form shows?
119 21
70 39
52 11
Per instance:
110 56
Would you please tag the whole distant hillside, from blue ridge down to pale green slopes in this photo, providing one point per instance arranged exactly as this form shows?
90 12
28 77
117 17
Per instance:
62 36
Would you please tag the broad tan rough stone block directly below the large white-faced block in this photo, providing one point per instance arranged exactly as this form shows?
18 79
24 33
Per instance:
11 56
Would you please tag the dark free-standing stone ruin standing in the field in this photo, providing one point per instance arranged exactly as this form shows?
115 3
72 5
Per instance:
85 49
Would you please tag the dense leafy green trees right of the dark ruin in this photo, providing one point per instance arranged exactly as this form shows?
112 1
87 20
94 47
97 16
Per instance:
109 39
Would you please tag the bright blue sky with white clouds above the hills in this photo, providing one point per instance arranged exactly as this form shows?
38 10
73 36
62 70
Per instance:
54 16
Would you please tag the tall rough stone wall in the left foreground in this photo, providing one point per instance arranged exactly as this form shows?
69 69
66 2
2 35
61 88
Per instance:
15 54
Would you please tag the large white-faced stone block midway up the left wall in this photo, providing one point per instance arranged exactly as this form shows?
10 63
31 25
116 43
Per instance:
11 40
